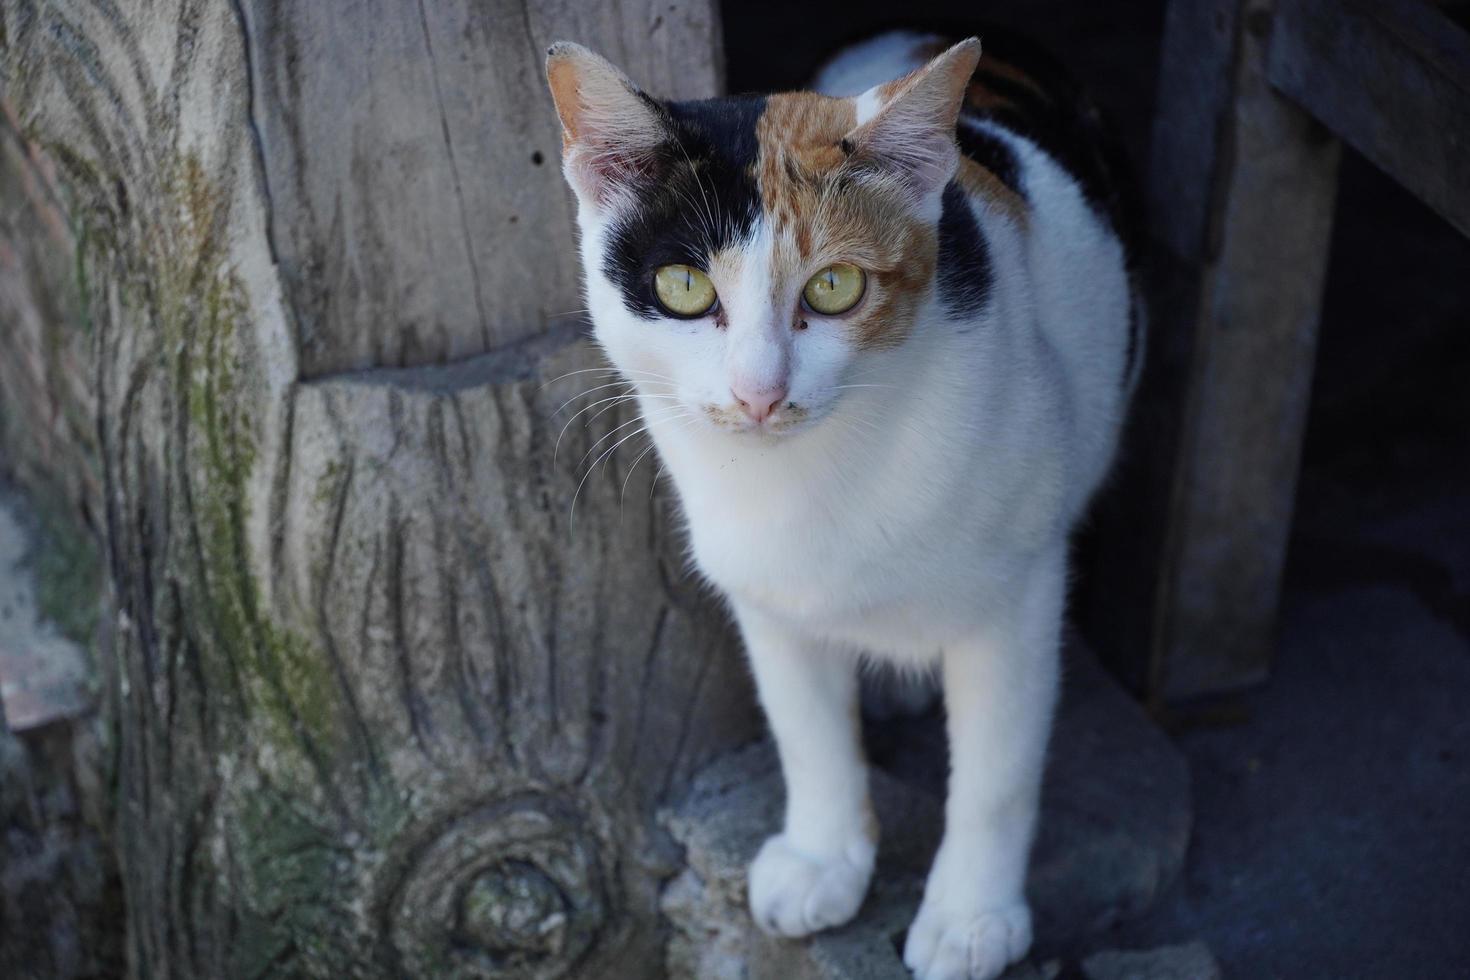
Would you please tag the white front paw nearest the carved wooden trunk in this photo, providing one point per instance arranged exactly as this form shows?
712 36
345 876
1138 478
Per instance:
795 894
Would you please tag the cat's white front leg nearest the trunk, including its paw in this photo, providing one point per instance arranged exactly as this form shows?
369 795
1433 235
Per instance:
815 873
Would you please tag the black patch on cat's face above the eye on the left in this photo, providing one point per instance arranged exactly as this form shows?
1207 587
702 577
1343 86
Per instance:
700 196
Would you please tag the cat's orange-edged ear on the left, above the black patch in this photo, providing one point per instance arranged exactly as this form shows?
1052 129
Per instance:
611 130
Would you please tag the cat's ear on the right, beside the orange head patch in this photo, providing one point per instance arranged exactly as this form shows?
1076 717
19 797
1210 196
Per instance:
912 134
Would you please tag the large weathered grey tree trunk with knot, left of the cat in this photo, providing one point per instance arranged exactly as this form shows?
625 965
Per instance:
383 707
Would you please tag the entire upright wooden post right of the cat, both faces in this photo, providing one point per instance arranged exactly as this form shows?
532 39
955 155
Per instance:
1241 193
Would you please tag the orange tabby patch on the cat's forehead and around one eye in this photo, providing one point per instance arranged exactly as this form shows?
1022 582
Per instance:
820 215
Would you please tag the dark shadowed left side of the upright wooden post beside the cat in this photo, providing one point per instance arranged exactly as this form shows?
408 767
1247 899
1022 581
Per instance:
1190 140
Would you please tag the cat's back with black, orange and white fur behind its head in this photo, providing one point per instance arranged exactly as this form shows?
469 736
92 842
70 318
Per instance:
1049 187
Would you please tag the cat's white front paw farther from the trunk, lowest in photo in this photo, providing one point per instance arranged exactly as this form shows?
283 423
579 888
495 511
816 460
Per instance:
955 944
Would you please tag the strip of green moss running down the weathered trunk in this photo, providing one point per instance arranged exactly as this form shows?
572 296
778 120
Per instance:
286 837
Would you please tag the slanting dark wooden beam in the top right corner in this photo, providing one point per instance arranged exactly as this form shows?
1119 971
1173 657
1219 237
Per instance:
1393 80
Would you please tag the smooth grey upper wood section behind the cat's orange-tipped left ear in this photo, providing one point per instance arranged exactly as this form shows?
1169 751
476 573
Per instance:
411 159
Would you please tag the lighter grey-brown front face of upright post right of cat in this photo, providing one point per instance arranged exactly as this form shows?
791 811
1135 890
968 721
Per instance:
1249 392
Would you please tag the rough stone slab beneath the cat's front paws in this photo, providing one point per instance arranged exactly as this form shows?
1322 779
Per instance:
1115 826
